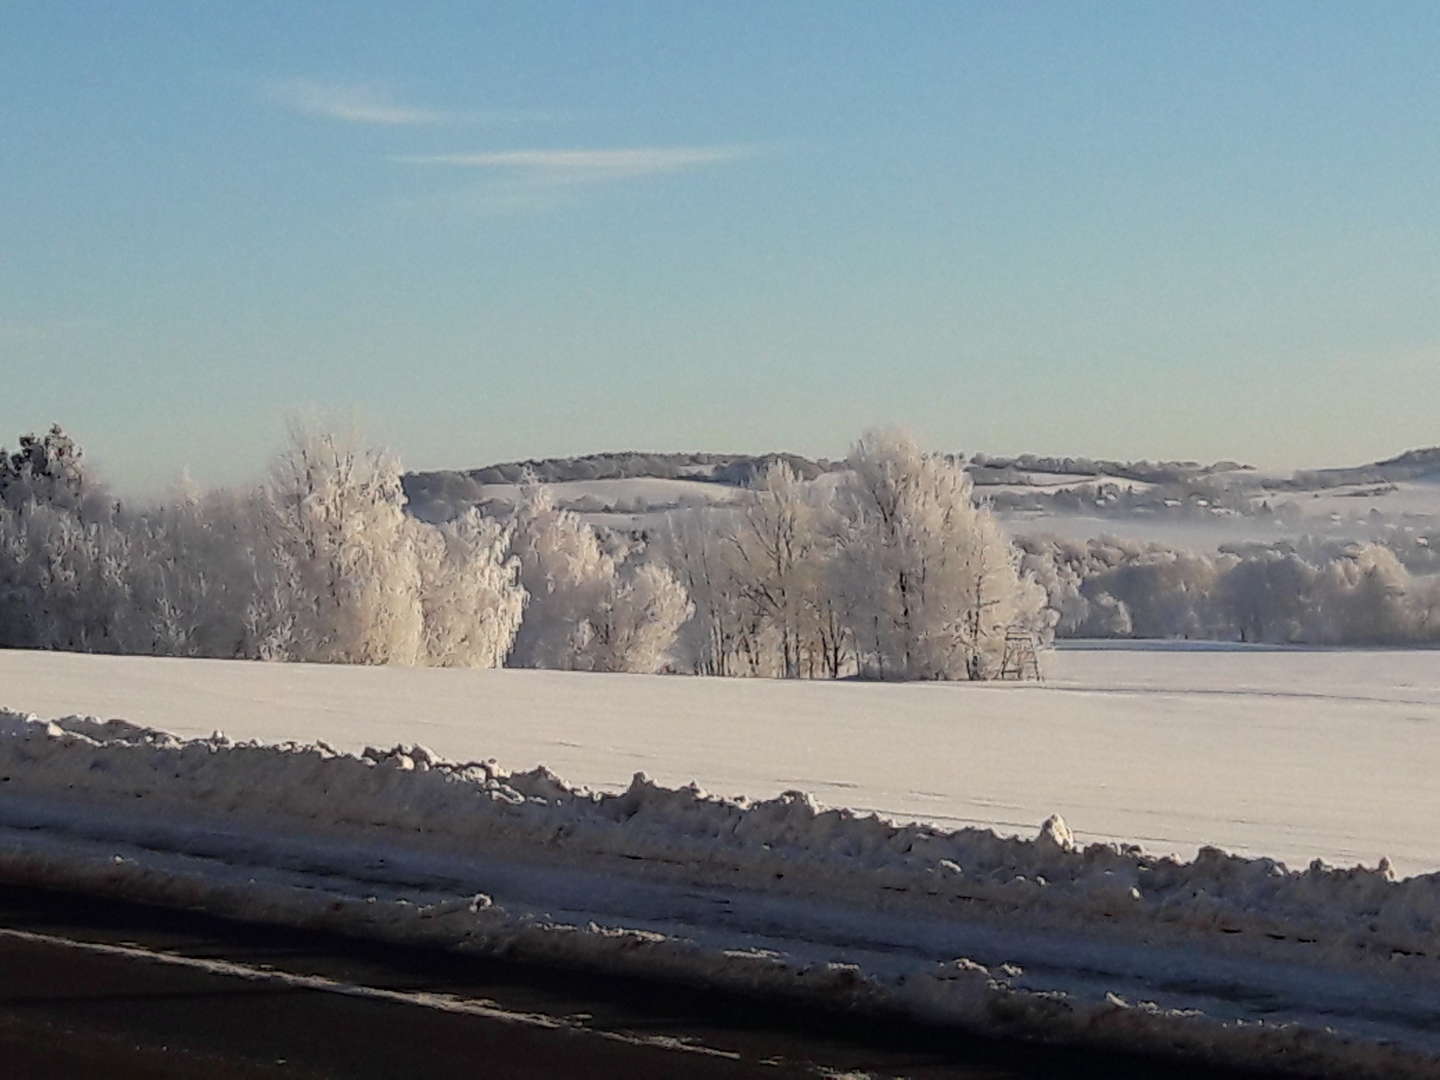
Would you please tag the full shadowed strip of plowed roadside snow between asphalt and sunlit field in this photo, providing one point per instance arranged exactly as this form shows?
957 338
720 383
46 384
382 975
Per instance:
1228 958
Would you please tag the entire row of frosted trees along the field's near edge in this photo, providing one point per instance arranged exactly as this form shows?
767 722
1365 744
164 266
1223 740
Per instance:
892 572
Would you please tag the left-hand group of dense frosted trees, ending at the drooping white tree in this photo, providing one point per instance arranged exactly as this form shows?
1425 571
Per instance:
319 564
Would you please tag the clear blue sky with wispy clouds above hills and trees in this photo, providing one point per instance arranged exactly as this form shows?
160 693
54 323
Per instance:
502 231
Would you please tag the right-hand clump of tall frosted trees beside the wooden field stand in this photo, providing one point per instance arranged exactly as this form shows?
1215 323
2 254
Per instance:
891 574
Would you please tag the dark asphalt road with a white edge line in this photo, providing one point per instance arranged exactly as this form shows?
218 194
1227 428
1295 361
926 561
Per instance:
93 989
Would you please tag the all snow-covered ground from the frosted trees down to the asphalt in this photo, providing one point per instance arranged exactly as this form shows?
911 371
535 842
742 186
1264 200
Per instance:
1287 752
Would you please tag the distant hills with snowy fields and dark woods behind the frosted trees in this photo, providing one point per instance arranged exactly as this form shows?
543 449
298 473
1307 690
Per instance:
1029 487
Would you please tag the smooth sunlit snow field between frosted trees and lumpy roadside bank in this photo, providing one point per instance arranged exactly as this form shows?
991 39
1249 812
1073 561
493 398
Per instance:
1291 754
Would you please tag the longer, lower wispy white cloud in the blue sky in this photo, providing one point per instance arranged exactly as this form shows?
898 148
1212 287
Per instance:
585 166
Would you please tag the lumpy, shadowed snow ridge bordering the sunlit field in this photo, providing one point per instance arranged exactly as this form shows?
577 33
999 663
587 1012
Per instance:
788 845
